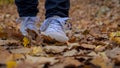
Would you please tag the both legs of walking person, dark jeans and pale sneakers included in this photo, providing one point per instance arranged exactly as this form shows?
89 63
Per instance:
56 15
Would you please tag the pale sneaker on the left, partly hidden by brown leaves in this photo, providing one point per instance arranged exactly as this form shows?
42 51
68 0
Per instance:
28 23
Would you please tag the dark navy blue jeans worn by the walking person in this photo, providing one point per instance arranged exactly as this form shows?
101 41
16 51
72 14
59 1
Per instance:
53 8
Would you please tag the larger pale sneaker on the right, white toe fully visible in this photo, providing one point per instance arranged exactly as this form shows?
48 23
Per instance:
54 27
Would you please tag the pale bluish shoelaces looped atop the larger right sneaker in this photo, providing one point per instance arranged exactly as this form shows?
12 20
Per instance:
61 21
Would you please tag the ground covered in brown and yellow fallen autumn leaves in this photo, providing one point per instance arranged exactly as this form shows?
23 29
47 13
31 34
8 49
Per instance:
94 38
